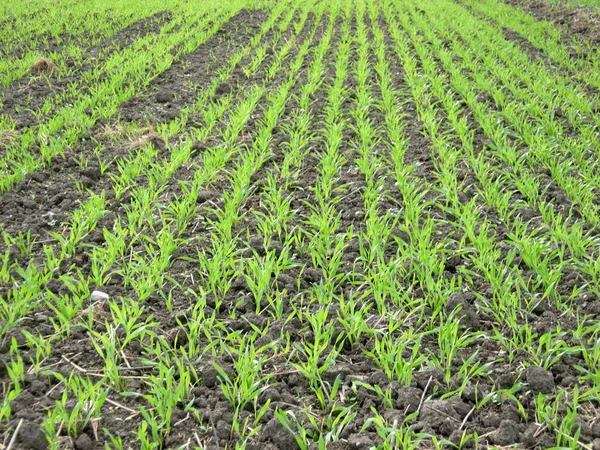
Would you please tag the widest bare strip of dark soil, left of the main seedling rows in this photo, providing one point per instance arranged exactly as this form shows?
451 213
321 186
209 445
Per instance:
43 201
